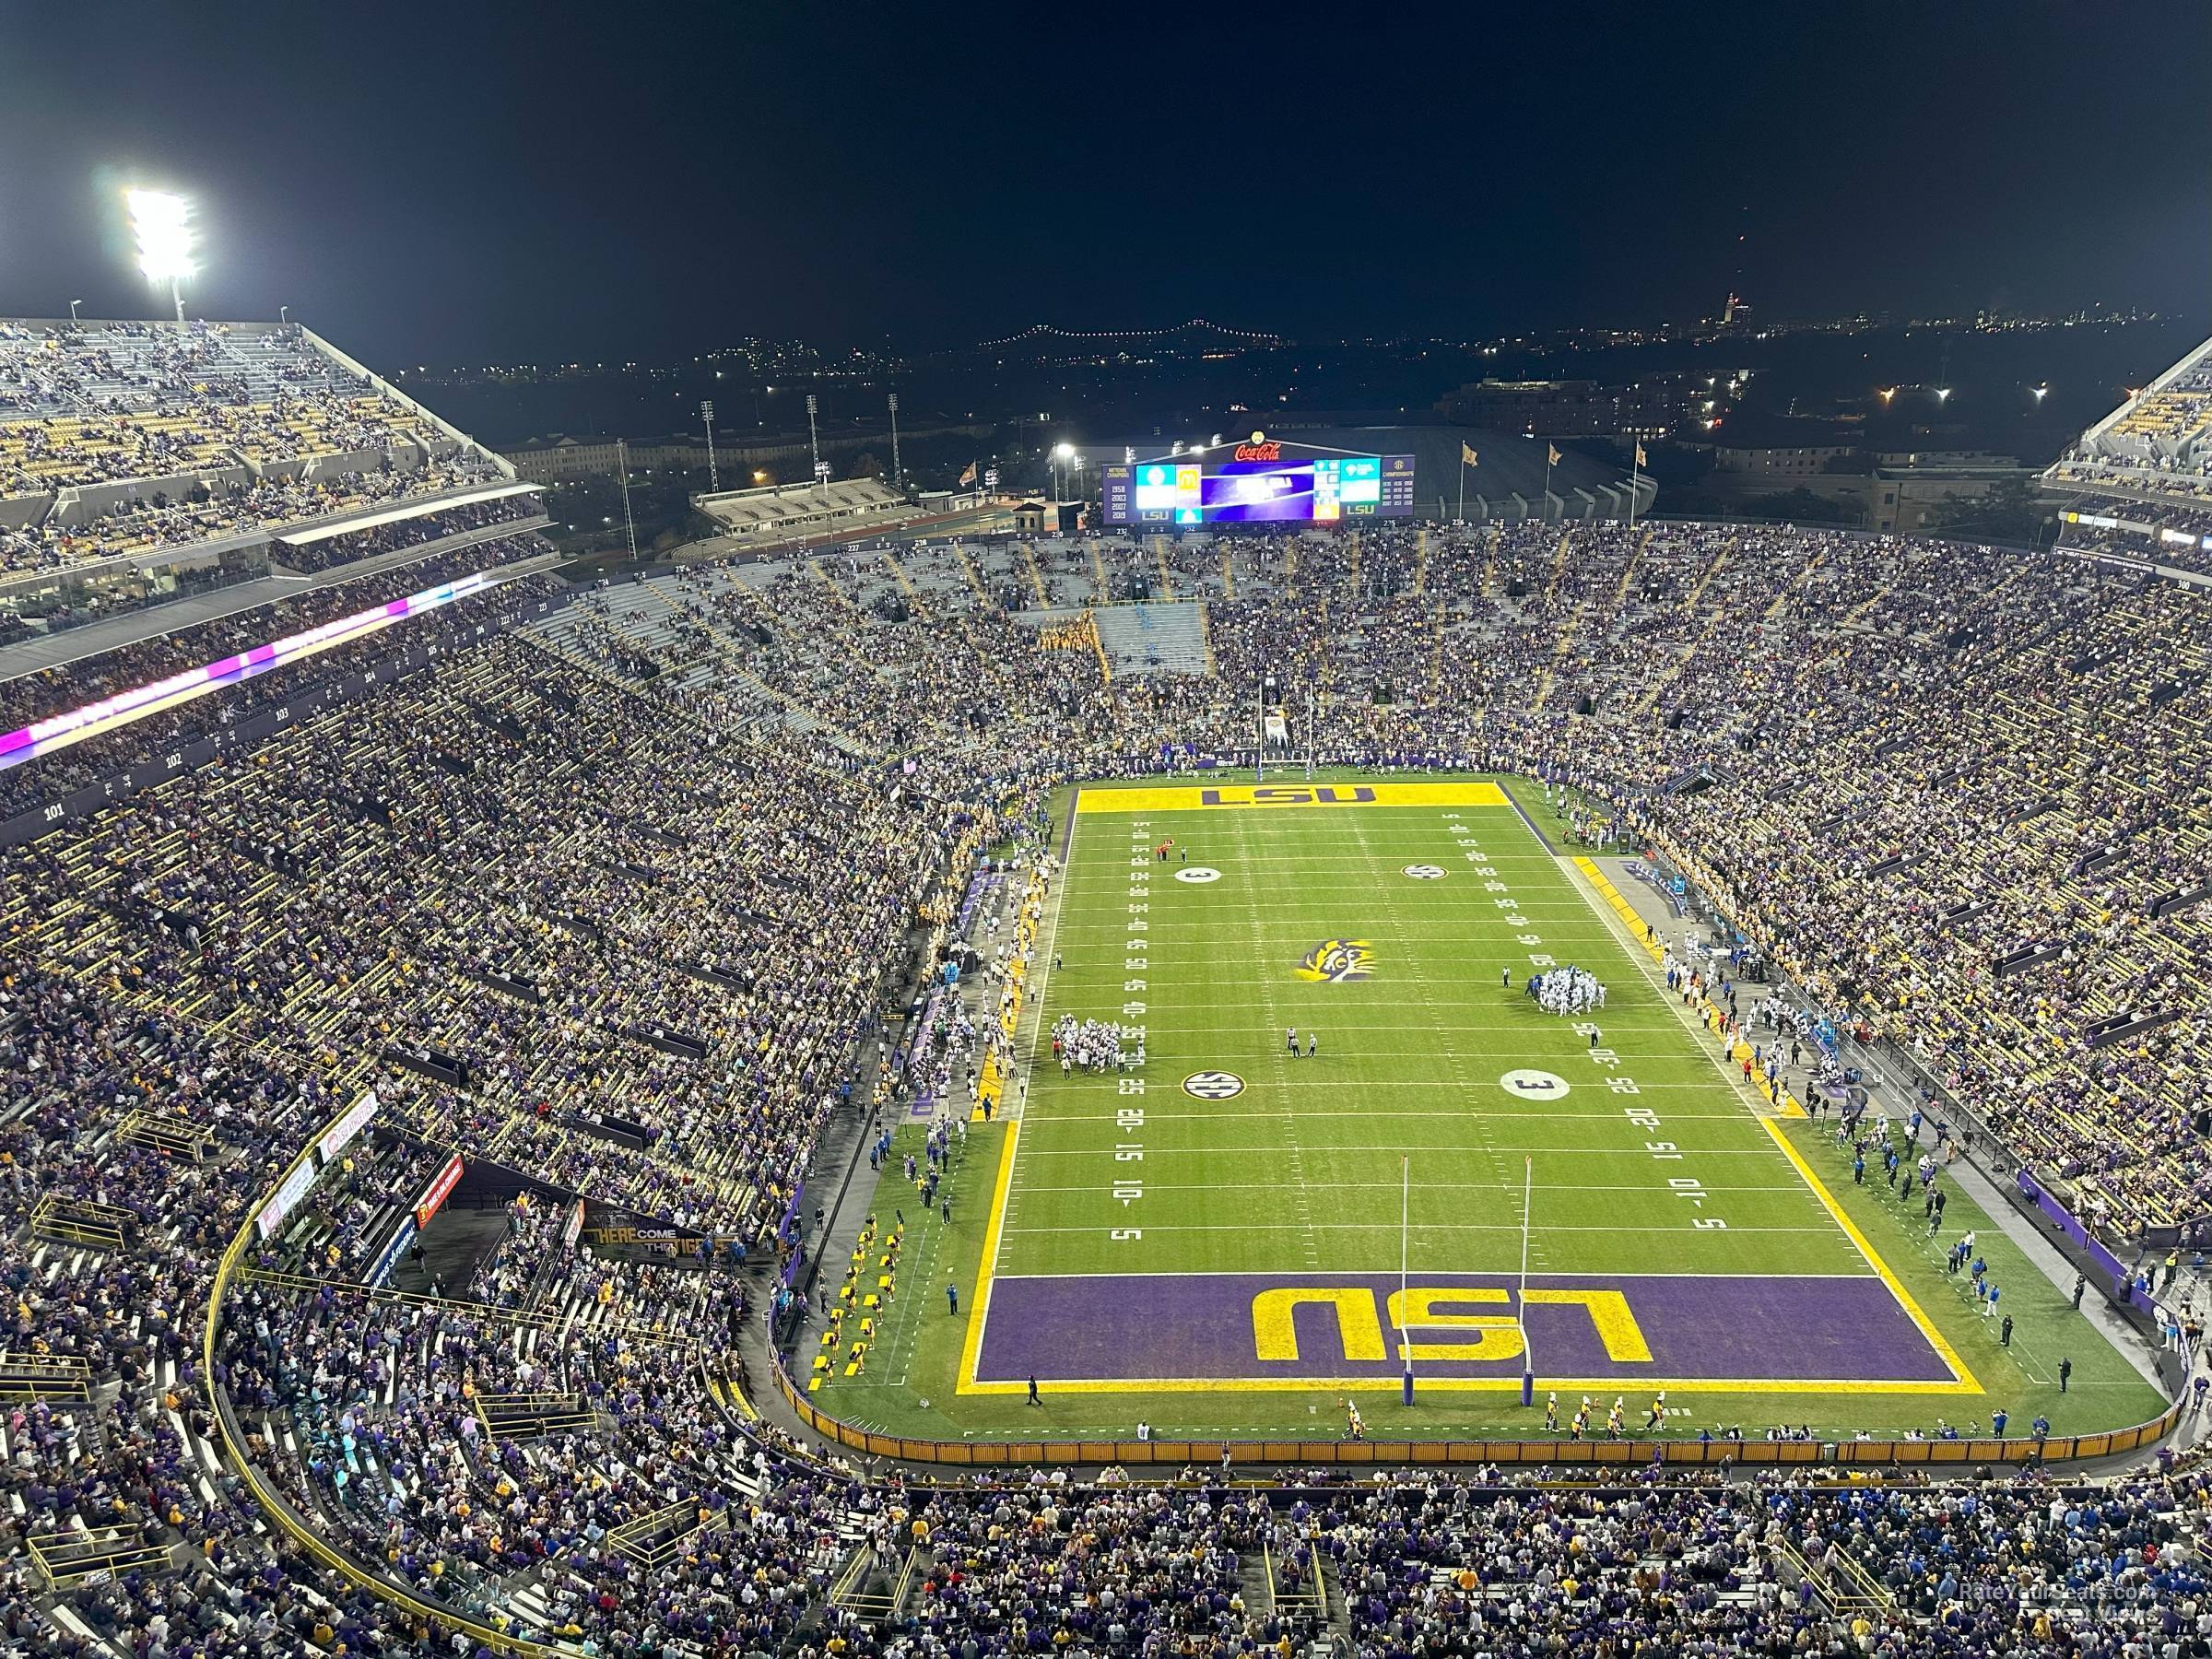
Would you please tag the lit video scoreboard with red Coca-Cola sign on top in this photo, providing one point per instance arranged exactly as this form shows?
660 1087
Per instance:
1260 483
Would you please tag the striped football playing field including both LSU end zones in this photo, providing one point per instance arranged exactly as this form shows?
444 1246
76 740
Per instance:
1264 1193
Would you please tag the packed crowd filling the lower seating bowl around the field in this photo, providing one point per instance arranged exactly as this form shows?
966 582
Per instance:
532 886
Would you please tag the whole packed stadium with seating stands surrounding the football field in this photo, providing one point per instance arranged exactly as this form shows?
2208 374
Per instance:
1419 1078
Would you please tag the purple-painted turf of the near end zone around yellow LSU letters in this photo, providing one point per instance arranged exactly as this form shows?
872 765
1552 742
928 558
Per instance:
1698 1331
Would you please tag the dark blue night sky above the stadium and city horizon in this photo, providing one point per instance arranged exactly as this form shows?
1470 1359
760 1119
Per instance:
601 182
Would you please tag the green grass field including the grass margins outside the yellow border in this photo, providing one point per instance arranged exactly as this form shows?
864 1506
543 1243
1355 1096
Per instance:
1213 1244
